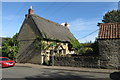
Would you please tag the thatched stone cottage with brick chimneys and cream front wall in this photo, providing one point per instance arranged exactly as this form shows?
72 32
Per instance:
51 33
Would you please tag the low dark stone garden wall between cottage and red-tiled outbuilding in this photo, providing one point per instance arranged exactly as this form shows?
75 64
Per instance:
78 61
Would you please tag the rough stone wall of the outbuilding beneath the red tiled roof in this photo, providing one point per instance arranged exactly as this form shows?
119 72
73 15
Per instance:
109 51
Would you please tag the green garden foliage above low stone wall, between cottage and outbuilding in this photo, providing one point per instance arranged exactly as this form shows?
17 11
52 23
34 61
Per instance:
84 48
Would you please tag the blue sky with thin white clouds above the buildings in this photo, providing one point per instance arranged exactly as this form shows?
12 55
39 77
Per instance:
82 17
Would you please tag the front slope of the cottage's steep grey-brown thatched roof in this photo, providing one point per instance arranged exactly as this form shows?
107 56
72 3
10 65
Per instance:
50 29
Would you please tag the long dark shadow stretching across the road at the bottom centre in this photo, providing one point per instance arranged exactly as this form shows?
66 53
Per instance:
58 76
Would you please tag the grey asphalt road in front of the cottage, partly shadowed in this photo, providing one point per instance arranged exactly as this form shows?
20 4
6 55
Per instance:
32 73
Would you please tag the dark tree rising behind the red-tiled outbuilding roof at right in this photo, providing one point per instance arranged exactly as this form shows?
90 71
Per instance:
112 16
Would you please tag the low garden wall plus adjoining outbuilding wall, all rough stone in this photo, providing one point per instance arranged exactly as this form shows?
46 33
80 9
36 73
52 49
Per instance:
109 57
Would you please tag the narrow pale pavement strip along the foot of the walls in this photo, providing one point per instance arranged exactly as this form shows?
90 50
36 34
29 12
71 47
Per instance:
94 70
